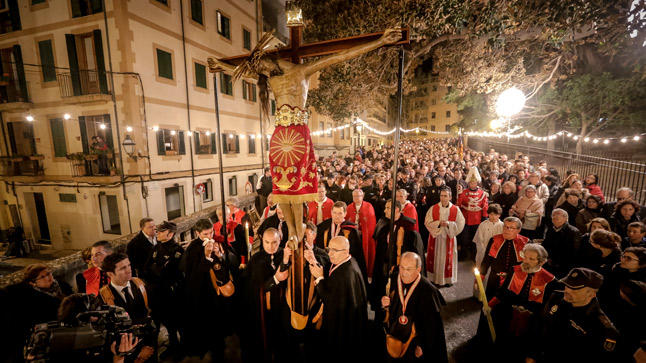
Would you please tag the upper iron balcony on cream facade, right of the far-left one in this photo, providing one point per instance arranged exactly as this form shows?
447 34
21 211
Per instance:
87 89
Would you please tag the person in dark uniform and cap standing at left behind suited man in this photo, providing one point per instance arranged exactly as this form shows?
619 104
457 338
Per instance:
164 281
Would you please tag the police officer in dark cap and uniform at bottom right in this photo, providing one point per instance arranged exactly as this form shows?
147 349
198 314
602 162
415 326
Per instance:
574 328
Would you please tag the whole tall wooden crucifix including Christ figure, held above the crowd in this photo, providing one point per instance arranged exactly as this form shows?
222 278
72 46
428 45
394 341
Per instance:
291 153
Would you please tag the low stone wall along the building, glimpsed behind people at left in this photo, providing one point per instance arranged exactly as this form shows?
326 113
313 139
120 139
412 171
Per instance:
65 268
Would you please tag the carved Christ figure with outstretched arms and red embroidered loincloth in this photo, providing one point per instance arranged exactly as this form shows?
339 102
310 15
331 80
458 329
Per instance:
291 154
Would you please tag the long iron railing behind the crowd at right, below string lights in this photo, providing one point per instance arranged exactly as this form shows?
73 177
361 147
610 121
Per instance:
613 174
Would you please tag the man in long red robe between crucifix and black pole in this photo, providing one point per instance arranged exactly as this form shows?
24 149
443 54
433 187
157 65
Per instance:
363 215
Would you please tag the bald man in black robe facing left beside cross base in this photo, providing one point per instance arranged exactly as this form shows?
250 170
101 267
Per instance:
345 316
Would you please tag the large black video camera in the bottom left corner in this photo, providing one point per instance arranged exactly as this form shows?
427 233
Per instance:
91 337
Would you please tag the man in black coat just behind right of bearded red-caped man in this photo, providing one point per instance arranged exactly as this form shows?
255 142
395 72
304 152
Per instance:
562 242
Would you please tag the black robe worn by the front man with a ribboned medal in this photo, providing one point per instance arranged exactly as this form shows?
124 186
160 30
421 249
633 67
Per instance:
423 310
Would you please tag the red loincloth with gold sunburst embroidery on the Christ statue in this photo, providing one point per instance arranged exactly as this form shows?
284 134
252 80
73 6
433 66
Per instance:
291 157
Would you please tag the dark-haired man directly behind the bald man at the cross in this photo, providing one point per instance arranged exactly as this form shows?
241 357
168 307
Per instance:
338 226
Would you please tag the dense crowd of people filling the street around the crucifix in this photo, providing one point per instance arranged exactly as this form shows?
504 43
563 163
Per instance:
564 268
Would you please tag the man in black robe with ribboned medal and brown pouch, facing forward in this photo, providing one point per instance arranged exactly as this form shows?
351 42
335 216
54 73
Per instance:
415 328
